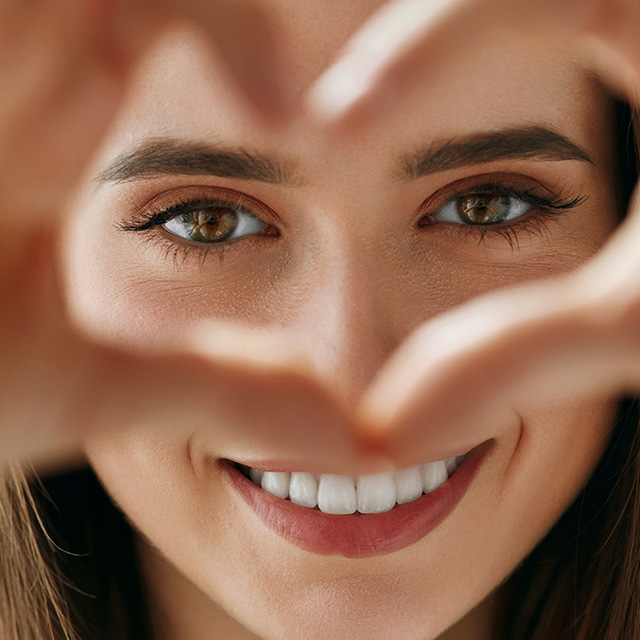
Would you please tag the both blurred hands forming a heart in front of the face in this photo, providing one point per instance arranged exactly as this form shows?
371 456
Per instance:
567 337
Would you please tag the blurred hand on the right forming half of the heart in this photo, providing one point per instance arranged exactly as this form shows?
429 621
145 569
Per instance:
568 338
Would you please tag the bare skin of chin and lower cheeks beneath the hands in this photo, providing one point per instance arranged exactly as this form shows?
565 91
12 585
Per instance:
187 512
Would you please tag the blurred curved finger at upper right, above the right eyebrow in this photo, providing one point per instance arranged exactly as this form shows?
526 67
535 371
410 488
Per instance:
407 41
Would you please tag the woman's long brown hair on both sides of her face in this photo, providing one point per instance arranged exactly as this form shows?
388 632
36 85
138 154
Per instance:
69 567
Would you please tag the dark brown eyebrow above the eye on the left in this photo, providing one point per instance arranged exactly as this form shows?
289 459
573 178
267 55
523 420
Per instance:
161 156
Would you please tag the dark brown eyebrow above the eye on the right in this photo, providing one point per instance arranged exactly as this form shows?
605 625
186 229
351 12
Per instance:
530 142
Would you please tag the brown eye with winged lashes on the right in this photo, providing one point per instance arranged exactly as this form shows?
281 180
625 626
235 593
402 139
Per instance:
503 206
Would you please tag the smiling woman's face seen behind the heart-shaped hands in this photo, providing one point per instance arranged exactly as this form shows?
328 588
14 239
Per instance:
343 246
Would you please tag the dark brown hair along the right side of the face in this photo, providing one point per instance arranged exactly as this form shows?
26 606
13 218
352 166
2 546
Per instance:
582 582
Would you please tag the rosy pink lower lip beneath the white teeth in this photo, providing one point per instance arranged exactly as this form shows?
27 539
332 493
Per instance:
359 535
